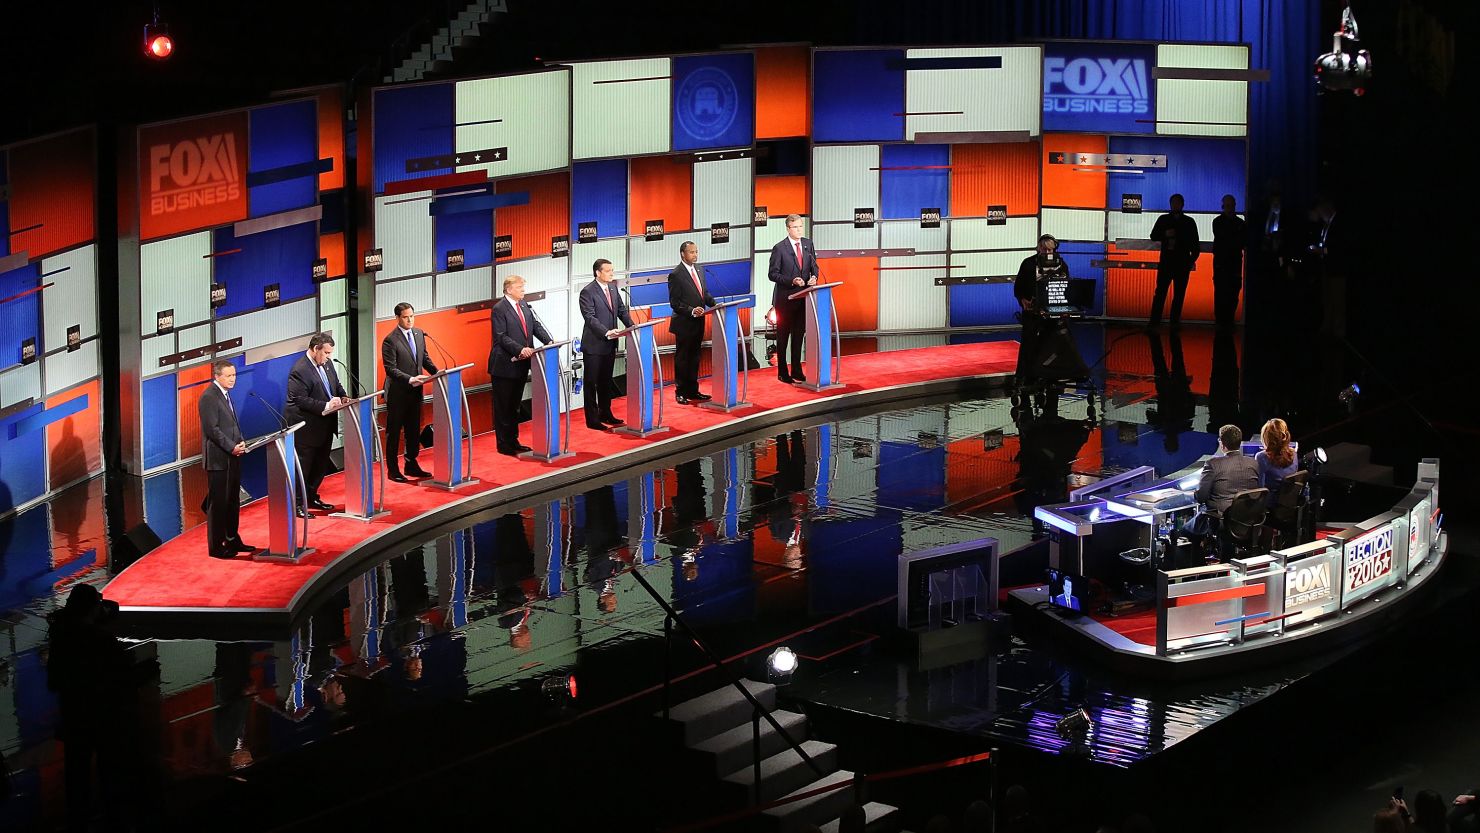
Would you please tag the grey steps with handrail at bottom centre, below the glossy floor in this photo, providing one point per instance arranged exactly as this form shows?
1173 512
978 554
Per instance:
717 732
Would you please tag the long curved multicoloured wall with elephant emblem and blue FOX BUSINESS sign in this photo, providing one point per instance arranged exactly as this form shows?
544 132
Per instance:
926 177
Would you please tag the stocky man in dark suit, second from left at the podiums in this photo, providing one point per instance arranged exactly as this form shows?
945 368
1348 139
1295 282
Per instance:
313 397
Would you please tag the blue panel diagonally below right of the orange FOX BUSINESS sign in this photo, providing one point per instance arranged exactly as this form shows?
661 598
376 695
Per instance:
282 257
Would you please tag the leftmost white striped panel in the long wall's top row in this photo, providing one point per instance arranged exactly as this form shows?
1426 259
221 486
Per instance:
529 115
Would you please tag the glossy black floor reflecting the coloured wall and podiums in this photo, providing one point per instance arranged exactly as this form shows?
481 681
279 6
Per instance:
782 538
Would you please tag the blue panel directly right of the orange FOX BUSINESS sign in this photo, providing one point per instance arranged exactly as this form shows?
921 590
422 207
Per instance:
282 137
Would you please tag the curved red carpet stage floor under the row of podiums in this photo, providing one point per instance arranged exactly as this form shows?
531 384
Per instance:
180 578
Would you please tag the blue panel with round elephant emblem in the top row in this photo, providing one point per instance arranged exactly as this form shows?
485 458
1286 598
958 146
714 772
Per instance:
714 101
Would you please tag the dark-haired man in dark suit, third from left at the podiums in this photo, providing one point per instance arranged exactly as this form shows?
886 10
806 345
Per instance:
403 353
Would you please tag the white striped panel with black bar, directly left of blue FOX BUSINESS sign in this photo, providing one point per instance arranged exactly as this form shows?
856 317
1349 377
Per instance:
980 100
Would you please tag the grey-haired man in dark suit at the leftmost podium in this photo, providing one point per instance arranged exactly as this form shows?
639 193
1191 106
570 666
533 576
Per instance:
223 451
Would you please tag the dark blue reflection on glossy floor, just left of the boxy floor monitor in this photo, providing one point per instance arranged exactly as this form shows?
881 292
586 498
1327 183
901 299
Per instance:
852 563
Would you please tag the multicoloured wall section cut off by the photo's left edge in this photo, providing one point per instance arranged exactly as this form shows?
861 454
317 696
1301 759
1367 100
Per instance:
51 405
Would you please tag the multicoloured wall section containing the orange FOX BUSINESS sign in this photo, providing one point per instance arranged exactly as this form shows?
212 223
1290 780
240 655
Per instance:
238 252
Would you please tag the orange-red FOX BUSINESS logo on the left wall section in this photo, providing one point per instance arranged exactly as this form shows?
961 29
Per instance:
193 174
